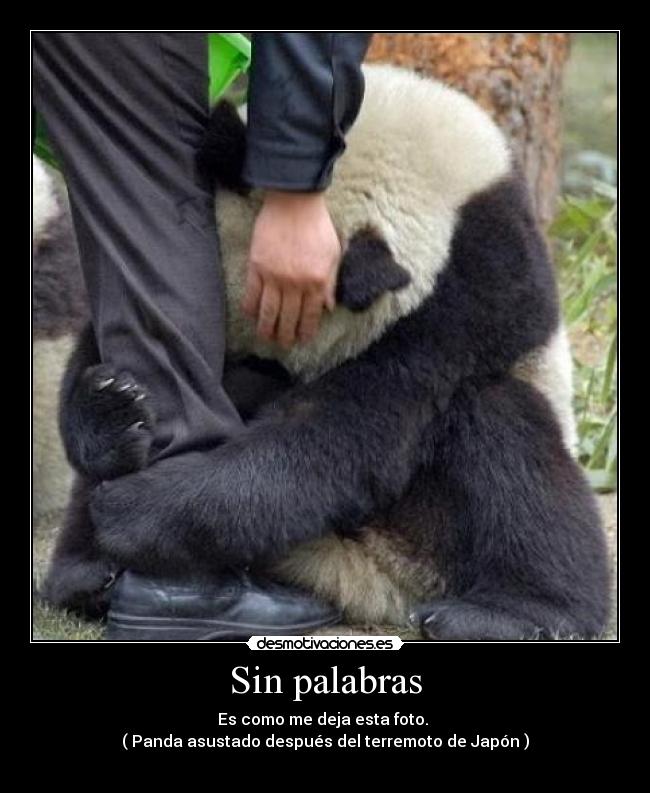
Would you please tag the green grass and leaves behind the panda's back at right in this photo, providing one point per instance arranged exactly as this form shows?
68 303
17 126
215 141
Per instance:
584 234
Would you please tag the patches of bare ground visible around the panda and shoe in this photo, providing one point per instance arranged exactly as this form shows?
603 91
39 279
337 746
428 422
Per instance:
50 624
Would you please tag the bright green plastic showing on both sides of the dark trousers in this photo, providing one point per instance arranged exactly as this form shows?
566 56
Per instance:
229 55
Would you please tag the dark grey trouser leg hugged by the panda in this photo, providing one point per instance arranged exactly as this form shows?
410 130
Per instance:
126 112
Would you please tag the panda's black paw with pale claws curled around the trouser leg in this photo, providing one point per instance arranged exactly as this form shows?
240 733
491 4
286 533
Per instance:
106 418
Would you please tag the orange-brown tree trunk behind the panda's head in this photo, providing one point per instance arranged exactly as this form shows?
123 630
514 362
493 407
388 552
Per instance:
516 77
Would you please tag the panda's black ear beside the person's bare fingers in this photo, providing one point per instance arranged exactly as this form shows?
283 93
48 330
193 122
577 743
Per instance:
368 270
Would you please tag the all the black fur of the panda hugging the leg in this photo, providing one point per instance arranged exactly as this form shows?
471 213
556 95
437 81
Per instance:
426 437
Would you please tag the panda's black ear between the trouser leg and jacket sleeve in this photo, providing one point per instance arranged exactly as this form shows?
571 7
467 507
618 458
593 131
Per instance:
220 157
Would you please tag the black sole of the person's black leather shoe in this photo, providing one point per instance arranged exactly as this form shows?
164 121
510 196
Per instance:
125 628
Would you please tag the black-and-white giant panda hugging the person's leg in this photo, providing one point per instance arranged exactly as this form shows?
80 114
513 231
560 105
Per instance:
416 463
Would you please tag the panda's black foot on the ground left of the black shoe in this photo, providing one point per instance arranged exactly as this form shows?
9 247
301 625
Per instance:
79 577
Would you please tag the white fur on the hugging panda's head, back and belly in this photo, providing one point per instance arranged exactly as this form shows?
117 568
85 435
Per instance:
410 188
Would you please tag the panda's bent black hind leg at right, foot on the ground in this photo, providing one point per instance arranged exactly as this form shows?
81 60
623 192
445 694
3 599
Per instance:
522 545
